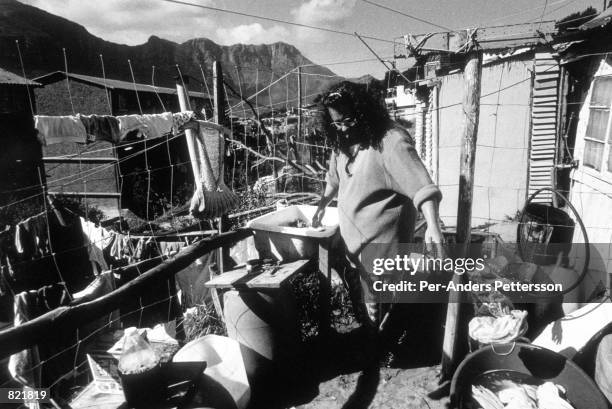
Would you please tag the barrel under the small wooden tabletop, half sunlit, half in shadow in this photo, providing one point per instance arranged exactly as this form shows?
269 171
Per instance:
266 326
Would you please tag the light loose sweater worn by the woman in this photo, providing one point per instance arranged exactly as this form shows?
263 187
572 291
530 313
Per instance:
378 202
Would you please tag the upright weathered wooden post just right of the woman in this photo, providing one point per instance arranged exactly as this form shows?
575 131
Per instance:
455 330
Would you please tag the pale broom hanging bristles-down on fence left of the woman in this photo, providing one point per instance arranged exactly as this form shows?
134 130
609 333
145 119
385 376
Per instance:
212 197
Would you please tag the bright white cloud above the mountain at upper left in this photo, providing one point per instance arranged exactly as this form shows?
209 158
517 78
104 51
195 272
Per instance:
133 21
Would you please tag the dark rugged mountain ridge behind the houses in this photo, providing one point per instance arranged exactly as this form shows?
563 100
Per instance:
43 36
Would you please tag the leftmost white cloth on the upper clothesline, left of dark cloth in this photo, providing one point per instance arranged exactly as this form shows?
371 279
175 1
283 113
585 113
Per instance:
57 129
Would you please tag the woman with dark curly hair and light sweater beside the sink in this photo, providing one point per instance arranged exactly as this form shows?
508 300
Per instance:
380 183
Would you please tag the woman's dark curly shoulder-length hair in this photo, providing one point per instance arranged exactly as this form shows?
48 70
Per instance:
371 116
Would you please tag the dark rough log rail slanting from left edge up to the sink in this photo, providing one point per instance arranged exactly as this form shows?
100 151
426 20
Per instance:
71 317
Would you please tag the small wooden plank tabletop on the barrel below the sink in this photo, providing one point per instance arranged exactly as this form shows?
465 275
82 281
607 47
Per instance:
271 278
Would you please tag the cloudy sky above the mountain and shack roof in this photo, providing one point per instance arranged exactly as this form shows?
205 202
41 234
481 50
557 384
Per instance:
132 22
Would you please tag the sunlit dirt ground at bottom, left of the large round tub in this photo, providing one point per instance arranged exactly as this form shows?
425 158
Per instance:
397 389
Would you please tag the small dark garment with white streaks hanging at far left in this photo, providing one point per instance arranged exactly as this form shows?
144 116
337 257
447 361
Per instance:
31 238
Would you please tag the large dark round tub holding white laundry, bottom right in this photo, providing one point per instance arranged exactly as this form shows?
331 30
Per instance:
530 360
